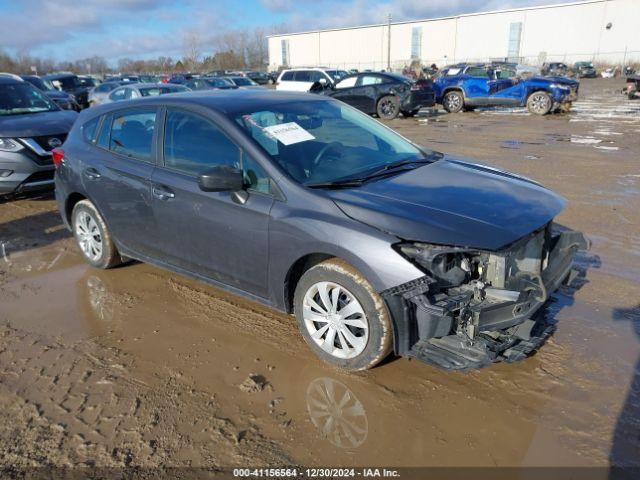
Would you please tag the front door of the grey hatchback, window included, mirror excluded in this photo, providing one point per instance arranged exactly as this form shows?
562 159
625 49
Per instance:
213 234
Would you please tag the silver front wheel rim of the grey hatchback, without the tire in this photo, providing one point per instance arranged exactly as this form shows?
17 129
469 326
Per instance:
335 320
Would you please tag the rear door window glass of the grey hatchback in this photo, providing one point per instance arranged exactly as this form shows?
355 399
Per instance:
132 134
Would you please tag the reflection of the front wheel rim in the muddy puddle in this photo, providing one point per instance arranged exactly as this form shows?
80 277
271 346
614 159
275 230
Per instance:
337 413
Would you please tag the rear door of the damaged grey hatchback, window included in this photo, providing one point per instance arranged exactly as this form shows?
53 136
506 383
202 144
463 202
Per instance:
117 176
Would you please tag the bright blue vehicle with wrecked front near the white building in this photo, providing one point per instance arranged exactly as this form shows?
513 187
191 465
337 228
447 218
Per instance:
466 86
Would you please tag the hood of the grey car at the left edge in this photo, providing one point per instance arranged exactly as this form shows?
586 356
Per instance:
36 124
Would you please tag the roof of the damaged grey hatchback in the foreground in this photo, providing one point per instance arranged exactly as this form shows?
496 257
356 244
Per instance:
227 102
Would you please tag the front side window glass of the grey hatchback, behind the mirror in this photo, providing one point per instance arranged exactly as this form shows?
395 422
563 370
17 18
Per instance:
193 144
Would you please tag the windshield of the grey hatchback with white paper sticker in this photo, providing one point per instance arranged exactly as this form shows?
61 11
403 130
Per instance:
318 142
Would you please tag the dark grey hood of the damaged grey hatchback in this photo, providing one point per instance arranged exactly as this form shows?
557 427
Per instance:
452 202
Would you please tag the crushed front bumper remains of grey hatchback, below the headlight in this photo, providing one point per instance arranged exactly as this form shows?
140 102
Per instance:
459 330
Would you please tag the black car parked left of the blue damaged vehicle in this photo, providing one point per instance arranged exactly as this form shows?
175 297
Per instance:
384 94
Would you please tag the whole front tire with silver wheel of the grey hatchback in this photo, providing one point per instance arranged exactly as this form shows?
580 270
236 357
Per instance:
337 342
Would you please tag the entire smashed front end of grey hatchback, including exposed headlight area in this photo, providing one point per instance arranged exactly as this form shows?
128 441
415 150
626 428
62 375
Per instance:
475 307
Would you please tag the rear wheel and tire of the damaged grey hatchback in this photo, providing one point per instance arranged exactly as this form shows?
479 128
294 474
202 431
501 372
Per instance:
93 237
